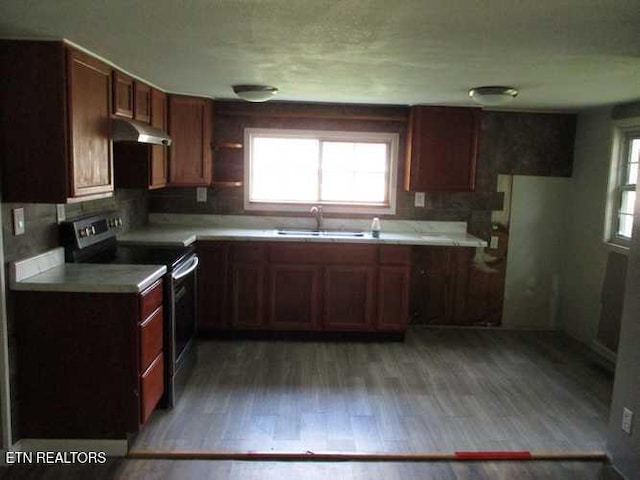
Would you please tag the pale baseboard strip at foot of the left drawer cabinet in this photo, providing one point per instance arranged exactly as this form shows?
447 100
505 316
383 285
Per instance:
112 448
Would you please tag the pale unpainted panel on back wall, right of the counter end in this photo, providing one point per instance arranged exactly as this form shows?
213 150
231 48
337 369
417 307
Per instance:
536 249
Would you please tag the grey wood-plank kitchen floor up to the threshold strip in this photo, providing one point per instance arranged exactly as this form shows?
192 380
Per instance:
442 390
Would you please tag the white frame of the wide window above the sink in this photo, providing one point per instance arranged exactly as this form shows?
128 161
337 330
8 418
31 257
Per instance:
388 137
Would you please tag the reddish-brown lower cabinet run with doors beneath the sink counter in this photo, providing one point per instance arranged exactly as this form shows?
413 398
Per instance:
292 286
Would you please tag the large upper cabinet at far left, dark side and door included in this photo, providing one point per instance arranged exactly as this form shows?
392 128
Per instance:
55 130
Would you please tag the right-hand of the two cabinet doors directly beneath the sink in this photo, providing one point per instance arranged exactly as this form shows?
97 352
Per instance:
348 297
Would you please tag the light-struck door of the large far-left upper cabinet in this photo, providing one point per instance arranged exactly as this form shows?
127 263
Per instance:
89 119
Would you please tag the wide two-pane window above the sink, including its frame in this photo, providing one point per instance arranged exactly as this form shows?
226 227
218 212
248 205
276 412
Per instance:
290 170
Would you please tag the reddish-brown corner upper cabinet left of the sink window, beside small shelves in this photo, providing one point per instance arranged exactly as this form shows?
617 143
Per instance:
190 131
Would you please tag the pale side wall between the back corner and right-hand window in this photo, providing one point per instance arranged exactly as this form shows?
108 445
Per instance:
585 255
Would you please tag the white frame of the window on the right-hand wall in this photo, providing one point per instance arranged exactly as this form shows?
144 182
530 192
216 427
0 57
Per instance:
623 131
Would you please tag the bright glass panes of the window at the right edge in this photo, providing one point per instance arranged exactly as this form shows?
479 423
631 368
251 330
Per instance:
622 190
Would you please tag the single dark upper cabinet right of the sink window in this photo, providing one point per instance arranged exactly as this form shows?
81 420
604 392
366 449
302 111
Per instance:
442 146
